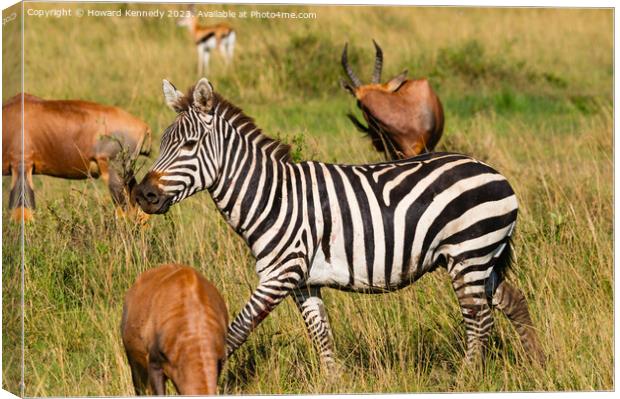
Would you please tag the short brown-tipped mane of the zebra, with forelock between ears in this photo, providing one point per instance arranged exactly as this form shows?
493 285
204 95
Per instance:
244 124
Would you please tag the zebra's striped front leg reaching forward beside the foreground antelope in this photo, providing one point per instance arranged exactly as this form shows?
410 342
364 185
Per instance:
269 293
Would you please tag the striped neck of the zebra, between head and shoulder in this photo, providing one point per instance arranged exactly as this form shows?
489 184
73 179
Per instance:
251 185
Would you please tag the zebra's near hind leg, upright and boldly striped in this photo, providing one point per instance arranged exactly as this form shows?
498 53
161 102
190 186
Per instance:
477 314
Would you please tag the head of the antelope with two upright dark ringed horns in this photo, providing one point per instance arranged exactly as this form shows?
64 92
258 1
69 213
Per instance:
355 86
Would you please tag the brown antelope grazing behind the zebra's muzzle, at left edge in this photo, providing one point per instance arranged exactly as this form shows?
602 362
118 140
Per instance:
70 139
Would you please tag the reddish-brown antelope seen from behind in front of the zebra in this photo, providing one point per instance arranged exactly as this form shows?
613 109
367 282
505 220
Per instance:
174 327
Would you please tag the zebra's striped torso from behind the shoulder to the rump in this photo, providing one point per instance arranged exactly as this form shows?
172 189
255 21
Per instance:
380 227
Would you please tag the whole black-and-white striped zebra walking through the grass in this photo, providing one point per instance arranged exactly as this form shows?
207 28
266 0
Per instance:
368 228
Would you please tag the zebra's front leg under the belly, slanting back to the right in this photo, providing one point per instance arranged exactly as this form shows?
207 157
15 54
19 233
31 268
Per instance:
310 305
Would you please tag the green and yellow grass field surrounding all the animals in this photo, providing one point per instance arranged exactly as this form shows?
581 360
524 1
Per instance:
527 90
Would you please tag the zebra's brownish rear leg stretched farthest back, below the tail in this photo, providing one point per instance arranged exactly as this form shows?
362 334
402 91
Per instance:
511 301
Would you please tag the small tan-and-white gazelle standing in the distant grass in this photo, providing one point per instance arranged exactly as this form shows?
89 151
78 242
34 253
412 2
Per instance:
208 38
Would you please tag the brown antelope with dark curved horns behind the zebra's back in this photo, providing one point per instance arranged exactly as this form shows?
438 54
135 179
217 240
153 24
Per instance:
404 116
